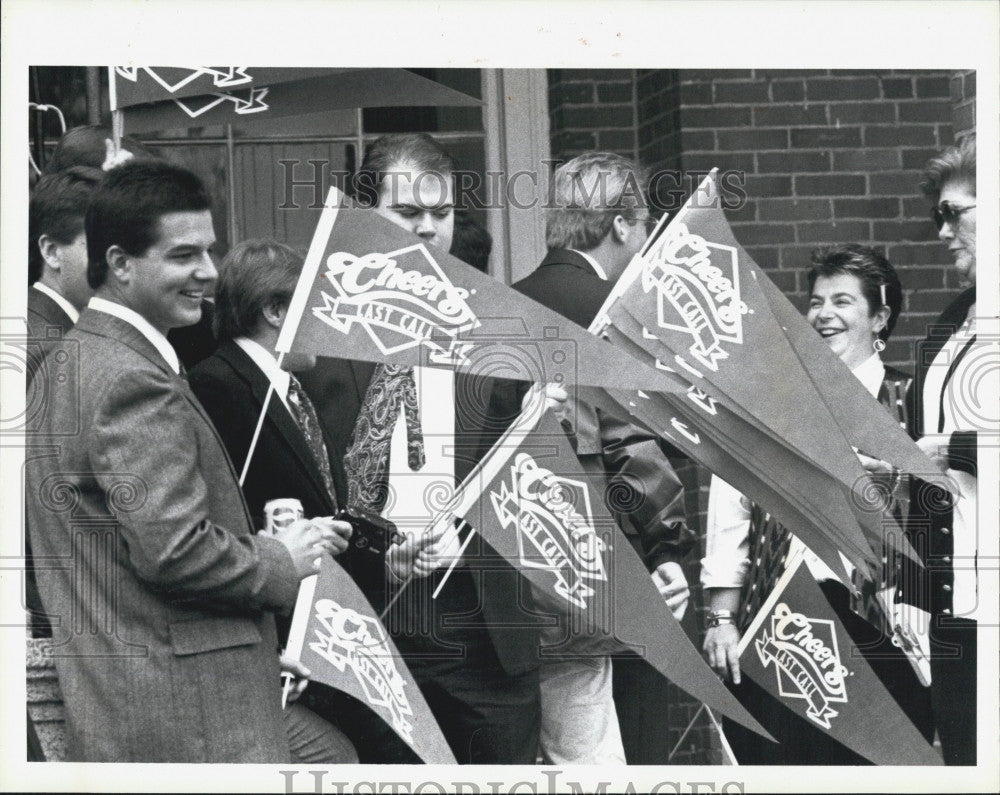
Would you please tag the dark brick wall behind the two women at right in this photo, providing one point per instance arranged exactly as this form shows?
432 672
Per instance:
828 157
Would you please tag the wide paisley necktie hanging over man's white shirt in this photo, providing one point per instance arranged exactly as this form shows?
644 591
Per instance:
367 460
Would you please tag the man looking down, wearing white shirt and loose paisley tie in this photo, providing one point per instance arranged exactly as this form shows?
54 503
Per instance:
474 651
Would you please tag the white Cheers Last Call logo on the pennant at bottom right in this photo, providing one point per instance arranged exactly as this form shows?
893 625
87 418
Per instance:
807 661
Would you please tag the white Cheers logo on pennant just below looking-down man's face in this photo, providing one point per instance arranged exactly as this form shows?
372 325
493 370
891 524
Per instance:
402 299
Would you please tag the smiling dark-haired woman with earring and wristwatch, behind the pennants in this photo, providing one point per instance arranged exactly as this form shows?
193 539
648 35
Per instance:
855 299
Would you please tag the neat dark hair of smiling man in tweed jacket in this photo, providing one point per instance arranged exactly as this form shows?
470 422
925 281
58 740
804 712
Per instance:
125 209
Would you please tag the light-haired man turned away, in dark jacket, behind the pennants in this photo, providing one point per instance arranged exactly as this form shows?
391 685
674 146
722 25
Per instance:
595 225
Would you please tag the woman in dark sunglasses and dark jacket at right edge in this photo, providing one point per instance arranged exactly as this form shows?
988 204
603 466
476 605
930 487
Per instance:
947 402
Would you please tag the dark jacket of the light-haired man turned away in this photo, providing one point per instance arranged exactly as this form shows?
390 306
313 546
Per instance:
632 457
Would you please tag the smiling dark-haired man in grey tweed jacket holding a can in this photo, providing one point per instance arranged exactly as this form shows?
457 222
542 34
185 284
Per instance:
167 649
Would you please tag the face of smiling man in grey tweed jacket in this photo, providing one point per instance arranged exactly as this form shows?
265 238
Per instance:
168 282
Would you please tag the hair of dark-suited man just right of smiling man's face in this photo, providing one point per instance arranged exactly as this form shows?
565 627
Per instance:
254 274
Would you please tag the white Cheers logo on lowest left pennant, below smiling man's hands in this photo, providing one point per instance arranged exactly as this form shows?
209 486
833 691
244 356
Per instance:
356 641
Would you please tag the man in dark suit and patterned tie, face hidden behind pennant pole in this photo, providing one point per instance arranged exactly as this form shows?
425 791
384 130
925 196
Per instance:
288 461
